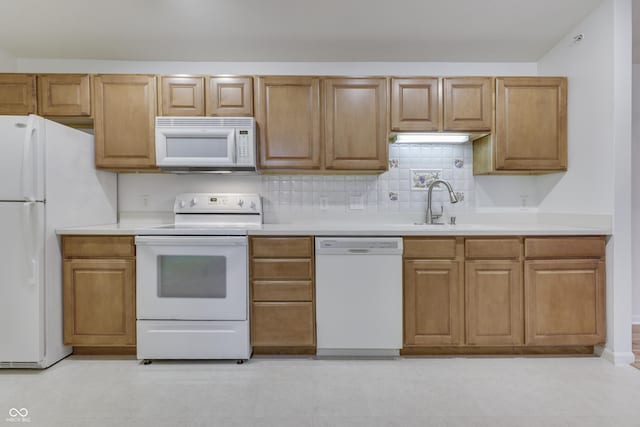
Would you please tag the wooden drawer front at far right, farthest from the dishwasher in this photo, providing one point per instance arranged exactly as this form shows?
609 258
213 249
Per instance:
564 247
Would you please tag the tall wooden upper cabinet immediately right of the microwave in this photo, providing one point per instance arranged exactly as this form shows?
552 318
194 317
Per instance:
288 120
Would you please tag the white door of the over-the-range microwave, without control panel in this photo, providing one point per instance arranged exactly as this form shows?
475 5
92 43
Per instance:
195 147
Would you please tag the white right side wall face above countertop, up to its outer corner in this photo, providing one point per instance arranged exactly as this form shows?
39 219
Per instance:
587 185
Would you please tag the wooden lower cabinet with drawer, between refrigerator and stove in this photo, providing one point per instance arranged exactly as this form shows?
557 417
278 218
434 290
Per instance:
99 293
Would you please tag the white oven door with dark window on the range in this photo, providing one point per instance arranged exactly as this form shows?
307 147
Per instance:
191 278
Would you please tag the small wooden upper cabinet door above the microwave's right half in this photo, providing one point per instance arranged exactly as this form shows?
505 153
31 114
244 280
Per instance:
229 96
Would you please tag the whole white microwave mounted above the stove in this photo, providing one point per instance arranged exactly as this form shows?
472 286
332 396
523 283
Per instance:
206 144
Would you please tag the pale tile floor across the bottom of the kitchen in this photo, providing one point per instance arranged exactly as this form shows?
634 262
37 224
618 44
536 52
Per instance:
305 392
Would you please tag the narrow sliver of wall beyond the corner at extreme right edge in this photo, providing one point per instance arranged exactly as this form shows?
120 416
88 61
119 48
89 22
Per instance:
635 186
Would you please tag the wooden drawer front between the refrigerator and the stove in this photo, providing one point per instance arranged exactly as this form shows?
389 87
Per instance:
97 246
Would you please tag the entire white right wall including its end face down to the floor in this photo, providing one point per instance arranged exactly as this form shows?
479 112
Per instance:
599 176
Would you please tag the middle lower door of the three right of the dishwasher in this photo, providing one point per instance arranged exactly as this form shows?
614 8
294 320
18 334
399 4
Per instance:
494 303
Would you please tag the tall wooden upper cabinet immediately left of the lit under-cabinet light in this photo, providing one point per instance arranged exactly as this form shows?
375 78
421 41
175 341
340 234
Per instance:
355 123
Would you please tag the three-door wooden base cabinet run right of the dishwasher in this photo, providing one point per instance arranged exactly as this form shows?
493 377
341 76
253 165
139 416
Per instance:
505 295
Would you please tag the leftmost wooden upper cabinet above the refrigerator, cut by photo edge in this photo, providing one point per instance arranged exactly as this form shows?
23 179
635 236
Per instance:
17 94
